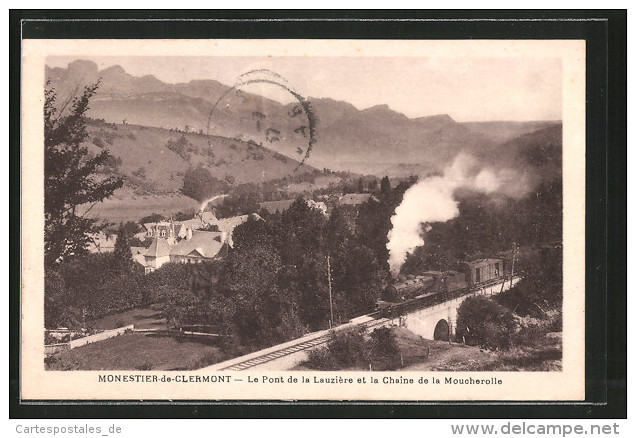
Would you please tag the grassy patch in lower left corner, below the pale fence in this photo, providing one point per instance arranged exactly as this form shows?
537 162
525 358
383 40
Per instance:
136 351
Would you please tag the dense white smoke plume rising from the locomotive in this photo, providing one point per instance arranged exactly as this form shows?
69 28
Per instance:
432 200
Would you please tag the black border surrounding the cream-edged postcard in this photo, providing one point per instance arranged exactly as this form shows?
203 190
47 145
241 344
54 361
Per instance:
605 32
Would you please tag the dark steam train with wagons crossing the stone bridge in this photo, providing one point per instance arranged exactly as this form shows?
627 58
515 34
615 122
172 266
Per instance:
433 287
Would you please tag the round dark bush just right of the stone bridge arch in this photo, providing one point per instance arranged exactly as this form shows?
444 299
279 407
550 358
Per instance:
481 321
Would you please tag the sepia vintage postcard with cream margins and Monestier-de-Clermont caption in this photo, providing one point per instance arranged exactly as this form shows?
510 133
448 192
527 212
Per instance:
303 220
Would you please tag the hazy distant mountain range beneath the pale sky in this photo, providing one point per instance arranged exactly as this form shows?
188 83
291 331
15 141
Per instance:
375 140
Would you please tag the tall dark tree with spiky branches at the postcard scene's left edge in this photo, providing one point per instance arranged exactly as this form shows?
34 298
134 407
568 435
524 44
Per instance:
70 177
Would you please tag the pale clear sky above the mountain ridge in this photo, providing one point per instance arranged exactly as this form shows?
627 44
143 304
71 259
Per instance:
467 89
